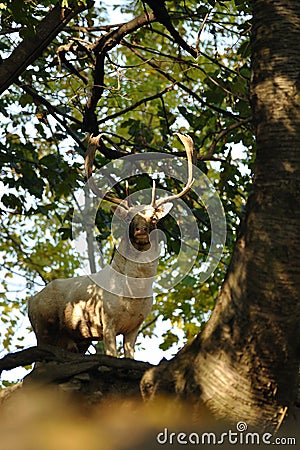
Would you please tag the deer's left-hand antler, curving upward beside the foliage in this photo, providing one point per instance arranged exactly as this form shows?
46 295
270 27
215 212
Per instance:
93 144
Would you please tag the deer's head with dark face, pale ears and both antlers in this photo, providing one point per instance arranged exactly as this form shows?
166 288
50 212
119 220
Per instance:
142 219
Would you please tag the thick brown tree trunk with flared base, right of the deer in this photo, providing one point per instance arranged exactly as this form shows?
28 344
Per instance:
244 366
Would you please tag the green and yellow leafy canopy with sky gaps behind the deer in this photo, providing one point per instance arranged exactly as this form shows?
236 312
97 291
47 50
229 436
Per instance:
136 85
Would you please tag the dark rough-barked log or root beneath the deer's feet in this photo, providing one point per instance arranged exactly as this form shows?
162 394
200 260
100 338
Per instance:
93 377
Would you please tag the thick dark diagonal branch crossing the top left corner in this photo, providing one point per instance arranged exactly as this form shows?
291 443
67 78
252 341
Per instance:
32 47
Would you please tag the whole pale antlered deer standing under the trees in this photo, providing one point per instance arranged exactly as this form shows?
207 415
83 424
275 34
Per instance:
70 313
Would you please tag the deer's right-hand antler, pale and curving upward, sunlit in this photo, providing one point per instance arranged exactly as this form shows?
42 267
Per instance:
190 152
